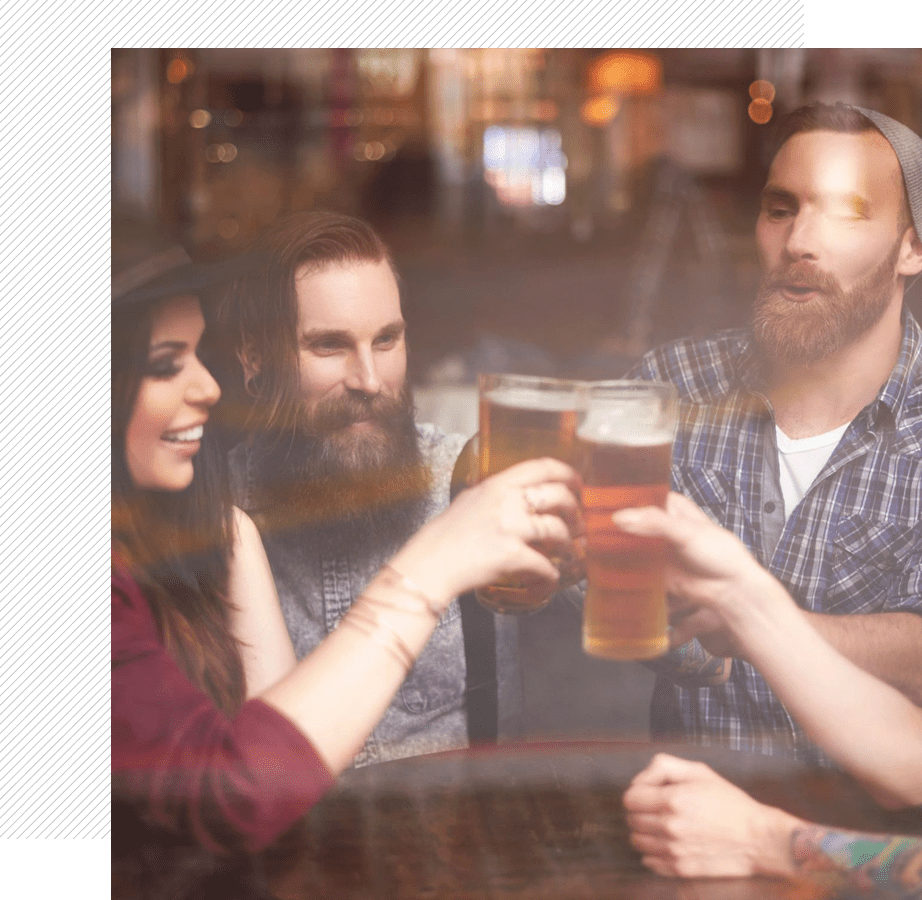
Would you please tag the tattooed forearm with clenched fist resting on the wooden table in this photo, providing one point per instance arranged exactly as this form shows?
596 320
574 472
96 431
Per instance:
689 822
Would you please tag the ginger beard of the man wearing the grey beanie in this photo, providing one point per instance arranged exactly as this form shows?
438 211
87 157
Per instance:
809 332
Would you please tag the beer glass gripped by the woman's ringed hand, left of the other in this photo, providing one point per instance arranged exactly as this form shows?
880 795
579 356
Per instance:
524 417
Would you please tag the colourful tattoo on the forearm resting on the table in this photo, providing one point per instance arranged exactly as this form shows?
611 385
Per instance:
868 860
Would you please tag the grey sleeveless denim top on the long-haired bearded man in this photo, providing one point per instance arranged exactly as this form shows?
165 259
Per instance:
317 582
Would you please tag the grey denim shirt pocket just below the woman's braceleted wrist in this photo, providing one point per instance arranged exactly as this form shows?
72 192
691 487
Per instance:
437 681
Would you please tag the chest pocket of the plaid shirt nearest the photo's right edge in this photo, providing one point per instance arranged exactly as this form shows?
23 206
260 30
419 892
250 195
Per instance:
870 559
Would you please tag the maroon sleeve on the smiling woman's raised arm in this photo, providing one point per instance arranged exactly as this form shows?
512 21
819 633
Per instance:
230 783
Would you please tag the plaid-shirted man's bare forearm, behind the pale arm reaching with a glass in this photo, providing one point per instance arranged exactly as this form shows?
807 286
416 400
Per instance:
888 645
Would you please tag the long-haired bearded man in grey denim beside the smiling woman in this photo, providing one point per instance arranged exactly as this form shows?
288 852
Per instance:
336 472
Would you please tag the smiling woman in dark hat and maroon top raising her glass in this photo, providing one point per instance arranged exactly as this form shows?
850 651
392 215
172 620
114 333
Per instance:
218 734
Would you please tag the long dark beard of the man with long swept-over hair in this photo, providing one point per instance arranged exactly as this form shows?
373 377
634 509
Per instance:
358 482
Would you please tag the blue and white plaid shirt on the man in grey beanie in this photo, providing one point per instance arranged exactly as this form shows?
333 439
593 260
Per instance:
853 545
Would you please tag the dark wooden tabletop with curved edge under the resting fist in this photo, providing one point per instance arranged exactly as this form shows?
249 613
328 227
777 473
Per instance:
531 821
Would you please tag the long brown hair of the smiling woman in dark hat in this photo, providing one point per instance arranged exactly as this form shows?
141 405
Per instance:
176 545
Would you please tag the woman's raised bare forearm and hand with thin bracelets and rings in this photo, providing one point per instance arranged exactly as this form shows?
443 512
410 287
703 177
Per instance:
337 694
